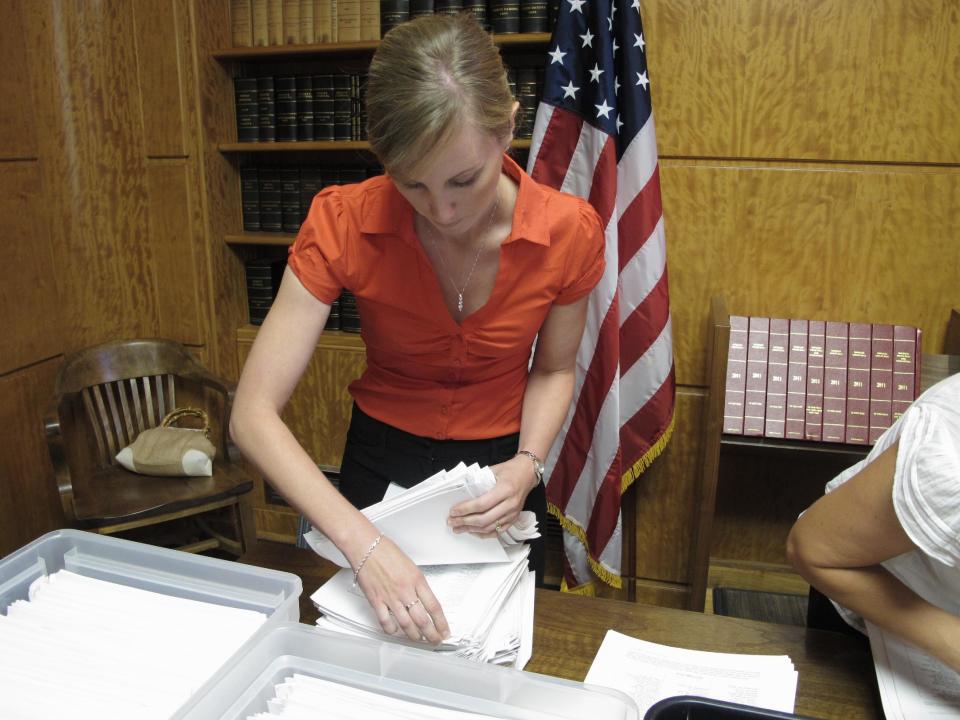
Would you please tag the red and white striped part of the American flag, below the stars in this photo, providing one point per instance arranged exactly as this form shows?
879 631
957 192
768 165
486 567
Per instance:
622 411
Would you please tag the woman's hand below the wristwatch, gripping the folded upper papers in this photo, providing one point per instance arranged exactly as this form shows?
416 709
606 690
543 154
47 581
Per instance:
498 508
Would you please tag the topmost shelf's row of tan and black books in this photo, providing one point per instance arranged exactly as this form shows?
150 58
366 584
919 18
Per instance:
261 23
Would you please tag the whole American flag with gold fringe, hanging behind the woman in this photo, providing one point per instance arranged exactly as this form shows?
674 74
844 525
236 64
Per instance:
594 137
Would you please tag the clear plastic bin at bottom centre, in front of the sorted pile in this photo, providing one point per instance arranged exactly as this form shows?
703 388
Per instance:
246 682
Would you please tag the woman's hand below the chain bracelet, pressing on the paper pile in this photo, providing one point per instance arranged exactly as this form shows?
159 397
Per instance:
400 596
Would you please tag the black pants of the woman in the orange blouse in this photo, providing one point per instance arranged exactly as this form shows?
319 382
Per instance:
377 454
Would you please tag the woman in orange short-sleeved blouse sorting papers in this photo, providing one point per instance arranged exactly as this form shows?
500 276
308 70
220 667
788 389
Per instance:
459 261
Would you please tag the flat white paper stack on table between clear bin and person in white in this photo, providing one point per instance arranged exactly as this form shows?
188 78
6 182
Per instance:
649 672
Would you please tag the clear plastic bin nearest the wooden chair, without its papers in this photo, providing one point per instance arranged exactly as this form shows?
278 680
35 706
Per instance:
180 574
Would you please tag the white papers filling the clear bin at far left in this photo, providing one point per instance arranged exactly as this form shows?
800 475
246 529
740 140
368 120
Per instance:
86 648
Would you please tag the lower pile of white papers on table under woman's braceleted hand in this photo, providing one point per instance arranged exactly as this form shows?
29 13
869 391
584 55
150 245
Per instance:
489 607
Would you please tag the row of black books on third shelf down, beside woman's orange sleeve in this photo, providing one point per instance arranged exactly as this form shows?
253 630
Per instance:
277 199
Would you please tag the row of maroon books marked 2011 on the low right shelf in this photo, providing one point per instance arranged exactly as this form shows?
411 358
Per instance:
818 380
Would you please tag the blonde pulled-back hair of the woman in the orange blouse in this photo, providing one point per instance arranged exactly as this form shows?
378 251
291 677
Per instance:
428 77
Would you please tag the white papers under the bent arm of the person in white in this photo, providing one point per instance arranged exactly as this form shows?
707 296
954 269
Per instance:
912 684
